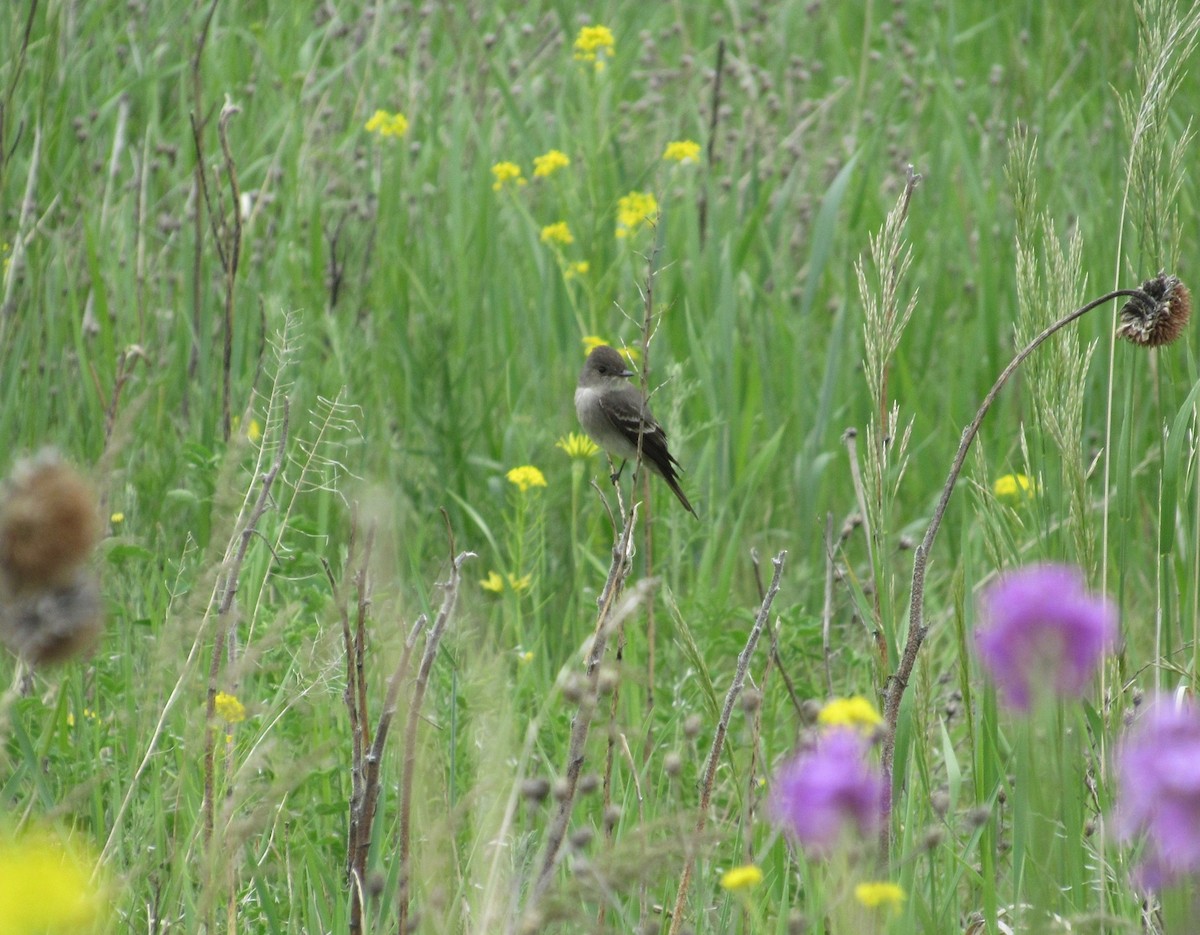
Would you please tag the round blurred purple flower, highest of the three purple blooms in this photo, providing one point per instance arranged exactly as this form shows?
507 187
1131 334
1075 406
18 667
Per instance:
1042 633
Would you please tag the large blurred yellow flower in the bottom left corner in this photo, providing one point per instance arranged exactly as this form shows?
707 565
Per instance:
47 888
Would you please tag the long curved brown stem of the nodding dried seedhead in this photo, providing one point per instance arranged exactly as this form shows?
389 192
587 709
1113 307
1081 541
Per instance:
917 628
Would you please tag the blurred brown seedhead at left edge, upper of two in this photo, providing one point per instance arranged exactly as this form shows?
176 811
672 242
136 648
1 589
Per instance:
49 525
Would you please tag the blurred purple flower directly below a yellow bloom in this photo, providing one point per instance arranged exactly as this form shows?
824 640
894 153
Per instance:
830 790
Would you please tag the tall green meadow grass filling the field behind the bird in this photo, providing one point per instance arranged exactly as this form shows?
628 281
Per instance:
449 356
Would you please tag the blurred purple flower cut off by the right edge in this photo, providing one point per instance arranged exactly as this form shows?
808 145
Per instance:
1159 771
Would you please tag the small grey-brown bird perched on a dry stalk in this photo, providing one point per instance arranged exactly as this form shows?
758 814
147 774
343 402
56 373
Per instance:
614 413
